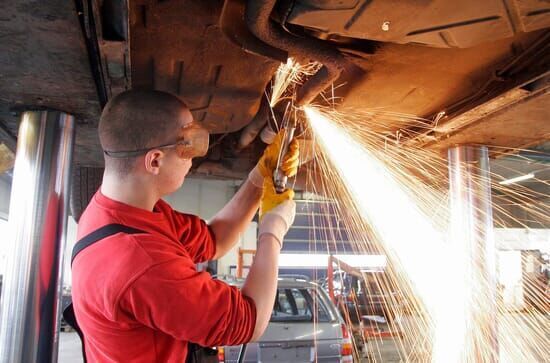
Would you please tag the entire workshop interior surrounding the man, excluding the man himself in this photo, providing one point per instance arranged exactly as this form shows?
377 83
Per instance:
422 228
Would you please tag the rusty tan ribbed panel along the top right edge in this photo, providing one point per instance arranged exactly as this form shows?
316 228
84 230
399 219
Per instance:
437 23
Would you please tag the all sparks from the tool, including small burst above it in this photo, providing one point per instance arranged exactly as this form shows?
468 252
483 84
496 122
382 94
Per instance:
392 197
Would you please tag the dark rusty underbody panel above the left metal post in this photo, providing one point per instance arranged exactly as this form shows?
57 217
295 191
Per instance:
44 63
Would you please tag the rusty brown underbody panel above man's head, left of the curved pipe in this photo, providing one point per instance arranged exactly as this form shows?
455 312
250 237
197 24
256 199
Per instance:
178 47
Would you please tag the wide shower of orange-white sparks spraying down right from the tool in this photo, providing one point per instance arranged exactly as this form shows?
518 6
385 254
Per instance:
394 198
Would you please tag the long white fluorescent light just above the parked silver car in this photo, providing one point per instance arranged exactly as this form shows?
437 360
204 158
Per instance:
303 260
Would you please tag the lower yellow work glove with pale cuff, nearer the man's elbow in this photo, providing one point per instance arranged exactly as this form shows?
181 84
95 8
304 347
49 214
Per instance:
277 212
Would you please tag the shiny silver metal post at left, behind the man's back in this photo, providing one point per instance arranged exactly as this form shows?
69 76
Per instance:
29 317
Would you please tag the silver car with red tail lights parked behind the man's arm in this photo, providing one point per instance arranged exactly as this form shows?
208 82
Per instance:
305 326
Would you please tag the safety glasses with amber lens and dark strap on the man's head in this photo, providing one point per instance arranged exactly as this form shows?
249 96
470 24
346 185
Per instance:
193 143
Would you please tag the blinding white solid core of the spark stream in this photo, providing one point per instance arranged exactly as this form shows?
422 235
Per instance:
404 229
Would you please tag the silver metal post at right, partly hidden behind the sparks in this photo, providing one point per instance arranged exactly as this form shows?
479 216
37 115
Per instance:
472 225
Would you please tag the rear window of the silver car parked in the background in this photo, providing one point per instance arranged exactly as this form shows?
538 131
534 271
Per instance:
304 305
